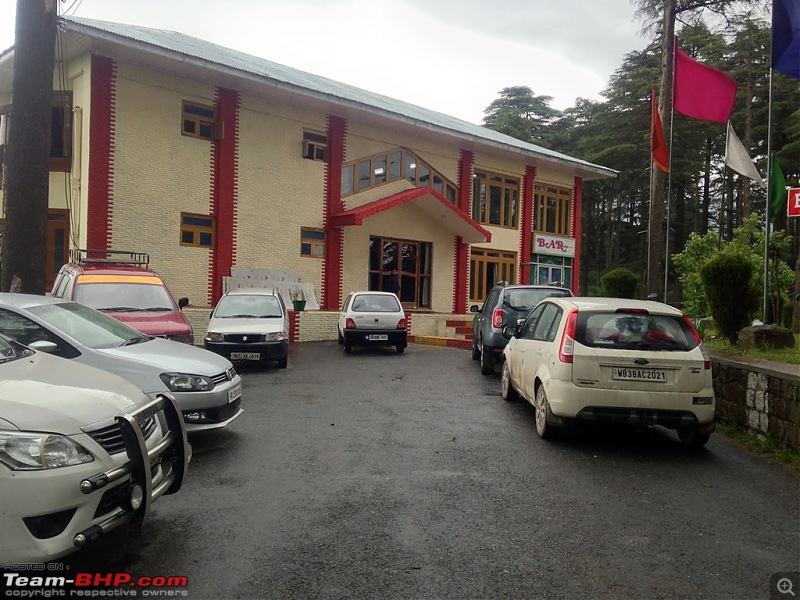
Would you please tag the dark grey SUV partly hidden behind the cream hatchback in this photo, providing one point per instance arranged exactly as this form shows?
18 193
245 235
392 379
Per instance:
503 307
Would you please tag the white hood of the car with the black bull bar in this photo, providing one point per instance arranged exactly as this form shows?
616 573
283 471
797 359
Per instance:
47 393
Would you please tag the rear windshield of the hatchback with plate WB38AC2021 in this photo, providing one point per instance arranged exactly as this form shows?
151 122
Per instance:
634 331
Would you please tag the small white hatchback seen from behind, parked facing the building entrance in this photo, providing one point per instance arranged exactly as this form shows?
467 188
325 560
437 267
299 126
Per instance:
372 319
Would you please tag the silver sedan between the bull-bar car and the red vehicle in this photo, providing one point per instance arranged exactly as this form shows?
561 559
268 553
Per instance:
205 385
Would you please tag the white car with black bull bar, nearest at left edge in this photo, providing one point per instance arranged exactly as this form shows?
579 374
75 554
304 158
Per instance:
82 452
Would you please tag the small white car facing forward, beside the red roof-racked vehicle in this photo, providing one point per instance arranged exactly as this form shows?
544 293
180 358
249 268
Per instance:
250 325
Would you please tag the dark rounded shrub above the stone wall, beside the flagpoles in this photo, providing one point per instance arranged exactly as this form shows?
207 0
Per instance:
727 280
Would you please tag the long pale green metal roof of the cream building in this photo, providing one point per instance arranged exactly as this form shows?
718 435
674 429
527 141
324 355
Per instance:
226 58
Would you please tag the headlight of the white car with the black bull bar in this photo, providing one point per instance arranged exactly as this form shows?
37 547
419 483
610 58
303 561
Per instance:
33 451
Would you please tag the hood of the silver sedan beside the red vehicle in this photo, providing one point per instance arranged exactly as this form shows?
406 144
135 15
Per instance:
167 356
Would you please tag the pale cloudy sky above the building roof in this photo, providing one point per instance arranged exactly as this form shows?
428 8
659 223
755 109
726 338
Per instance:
453 56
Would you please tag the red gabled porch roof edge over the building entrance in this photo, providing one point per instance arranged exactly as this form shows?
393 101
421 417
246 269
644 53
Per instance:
427 199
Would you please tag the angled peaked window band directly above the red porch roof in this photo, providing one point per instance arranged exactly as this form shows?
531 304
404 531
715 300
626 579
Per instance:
372 171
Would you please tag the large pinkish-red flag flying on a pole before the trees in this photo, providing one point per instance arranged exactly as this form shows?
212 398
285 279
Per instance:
701 92
